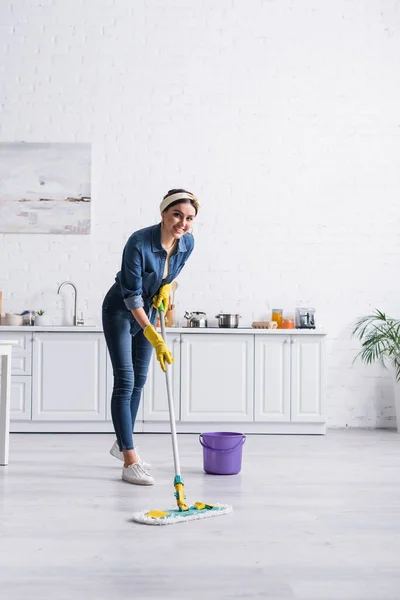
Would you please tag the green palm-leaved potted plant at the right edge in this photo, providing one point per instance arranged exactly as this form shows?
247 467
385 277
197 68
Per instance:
380 341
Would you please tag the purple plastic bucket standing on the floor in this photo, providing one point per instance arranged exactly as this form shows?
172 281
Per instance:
222 452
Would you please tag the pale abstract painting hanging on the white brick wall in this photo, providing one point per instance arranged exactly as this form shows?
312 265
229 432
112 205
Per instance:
45 188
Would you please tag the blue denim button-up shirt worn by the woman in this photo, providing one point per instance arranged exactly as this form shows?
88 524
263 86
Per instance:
142 269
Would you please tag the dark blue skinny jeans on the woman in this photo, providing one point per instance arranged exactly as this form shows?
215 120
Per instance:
130 357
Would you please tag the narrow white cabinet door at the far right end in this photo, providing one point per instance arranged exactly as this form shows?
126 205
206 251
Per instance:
307 370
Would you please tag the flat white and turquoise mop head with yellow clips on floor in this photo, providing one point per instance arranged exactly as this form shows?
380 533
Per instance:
169 517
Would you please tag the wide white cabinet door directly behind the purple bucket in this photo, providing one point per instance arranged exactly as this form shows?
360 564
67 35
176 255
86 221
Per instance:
217 377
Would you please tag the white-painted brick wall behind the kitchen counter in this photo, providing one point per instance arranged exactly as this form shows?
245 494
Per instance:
283 116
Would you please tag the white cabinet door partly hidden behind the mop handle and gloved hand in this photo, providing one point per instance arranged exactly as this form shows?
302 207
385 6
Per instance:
155 400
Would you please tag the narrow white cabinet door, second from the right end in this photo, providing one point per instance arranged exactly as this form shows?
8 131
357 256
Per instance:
272 378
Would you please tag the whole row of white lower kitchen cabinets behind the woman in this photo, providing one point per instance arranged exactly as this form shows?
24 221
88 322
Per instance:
244 380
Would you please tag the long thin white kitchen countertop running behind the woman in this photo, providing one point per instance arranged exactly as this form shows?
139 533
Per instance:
191 330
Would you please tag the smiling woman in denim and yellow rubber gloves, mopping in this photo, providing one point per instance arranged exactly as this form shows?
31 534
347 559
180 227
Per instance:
153 257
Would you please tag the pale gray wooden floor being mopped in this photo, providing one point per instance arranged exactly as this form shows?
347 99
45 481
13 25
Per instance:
314 518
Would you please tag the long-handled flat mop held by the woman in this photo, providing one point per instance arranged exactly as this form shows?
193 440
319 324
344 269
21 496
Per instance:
198 510
